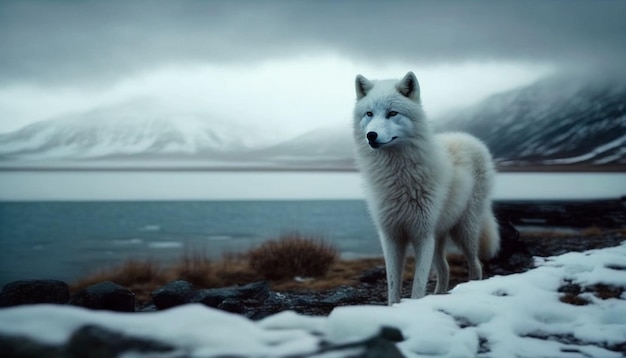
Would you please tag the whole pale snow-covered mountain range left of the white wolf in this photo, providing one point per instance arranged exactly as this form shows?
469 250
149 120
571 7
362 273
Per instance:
141 134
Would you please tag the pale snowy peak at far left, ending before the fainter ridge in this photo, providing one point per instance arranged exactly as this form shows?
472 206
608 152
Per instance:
131 129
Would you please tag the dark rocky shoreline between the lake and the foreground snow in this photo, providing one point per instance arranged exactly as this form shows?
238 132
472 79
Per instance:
605 218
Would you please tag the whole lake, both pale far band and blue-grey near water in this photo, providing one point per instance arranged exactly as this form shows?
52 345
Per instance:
66 224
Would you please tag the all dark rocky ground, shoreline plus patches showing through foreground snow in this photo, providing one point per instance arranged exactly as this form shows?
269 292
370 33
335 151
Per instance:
605 223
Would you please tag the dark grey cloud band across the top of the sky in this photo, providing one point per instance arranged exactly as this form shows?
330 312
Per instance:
93 42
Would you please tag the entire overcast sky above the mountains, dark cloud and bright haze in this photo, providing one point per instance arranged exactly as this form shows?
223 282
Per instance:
287 64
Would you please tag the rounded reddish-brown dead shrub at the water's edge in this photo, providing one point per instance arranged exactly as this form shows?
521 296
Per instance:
292 255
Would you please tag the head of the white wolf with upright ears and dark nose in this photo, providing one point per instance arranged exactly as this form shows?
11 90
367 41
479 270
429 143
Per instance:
387 113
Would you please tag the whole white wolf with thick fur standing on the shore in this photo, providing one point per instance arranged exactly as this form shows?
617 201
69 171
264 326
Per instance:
421 188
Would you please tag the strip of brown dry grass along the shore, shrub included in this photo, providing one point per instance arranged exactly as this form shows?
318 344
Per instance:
278 261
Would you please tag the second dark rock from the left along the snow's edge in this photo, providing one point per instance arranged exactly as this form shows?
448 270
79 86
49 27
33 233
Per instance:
105 296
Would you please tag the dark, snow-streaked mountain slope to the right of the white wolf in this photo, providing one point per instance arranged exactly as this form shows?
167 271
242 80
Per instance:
567 121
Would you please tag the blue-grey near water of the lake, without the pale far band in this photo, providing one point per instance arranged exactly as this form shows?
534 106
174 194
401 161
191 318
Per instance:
64 240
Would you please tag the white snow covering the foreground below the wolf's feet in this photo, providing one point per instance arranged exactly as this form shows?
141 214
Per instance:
504 316
